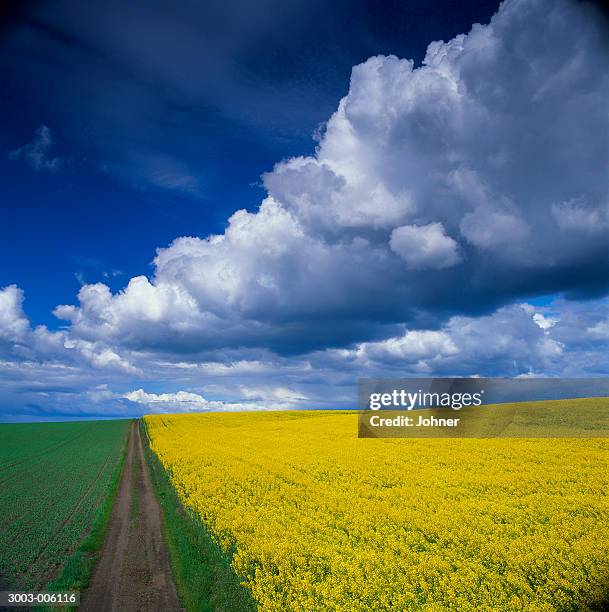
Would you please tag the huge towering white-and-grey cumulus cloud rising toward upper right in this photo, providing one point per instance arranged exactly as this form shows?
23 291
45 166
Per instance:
450 188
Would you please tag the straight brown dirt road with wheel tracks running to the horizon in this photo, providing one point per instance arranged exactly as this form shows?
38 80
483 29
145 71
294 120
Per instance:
133 572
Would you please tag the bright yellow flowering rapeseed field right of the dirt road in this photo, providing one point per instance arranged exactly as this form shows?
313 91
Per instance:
321 520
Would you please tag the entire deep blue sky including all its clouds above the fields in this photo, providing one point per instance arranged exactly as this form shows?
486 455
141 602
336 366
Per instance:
241 205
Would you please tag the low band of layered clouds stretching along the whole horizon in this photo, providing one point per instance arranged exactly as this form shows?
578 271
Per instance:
45 373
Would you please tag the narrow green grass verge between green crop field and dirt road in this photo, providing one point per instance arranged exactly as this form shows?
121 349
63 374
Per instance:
79 568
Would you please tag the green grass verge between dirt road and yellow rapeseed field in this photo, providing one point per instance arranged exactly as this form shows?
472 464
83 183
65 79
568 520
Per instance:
201 570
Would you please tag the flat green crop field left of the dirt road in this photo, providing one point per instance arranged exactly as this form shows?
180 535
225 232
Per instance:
55 479
